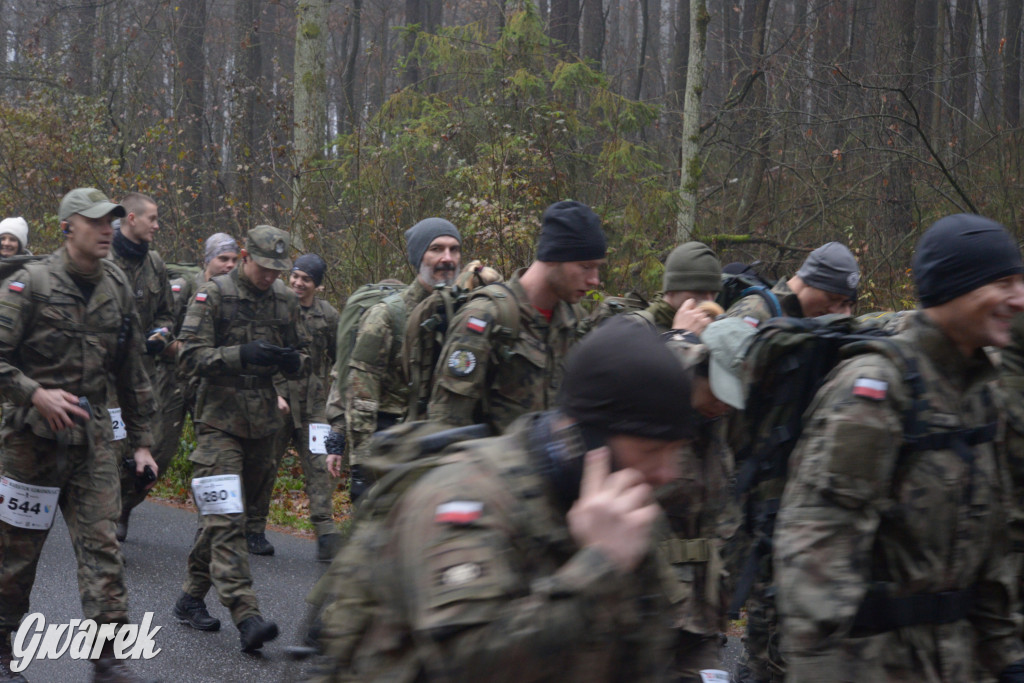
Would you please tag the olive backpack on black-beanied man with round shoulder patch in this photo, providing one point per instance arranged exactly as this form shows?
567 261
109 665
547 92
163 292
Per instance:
429 325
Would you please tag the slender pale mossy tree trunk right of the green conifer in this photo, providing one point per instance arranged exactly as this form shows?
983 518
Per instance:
691 165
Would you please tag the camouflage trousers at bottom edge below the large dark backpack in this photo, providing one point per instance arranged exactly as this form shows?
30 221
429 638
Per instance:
762 659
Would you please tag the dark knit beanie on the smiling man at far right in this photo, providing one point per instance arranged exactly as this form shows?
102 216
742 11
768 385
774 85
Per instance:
961 253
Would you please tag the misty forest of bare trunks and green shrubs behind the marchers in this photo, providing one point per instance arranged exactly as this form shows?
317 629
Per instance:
763 127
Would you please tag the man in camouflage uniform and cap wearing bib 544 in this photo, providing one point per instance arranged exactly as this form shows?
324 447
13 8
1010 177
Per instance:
69 331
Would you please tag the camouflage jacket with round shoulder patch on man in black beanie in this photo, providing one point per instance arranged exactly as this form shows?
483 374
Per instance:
485 375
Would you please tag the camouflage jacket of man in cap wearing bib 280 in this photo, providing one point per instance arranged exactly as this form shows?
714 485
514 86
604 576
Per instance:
236 399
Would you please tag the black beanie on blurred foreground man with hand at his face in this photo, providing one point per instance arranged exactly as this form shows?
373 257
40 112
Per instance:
624 380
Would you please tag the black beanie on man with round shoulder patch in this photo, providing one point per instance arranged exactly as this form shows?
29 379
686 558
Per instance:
571 232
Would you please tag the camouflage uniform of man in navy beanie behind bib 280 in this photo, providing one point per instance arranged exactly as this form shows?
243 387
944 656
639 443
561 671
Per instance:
307 400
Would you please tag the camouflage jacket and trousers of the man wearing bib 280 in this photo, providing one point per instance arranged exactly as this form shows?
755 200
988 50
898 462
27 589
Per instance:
236 416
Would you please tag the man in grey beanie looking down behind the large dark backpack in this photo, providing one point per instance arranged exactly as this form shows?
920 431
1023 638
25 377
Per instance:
827 283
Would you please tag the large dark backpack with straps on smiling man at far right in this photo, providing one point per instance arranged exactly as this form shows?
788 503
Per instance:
786 366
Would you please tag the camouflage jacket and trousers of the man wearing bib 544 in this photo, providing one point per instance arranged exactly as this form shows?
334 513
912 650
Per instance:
41 346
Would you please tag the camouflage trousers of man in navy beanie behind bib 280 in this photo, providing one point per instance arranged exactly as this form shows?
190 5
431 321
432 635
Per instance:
319 484
